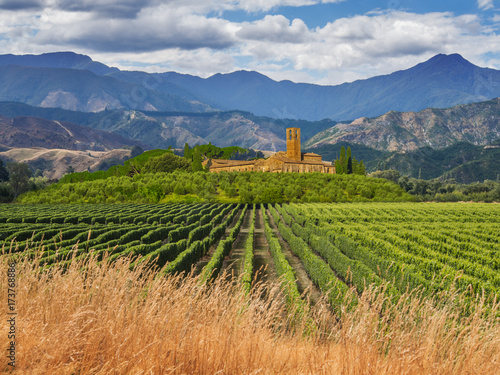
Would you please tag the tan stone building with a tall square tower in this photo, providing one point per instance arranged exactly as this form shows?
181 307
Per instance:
293 160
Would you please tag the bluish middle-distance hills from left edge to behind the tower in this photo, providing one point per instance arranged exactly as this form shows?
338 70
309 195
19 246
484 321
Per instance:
164 129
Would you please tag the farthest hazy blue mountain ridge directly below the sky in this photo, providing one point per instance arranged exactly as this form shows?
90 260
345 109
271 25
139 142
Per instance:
74 81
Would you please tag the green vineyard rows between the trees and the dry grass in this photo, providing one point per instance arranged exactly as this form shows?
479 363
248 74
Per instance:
340 247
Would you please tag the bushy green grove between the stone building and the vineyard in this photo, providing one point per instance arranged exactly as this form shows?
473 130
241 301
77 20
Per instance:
234 187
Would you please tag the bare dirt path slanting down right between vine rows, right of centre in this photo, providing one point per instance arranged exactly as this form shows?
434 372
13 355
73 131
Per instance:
304 283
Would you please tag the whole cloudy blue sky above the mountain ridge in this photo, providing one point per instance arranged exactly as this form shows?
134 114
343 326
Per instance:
325 42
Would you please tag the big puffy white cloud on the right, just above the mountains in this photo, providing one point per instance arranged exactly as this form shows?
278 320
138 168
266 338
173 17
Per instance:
346 48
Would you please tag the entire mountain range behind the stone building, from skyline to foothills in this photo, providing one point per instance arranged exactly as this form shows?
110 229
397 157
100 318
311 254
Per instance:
440 115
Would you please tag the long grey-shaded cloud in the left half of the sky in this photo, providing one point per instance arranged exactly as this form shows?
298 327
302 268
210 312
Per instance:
153 29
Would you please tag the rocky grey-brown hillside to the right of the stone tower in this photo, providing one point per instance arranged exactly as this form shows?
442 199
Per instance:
476 123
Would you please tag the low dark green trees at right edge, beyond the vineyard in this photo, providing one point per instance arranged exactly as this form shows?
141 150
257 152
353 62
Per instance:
441 190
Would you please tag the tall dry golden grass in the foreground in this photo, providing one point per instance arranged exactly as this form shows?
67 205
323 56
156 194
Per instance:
110 320
